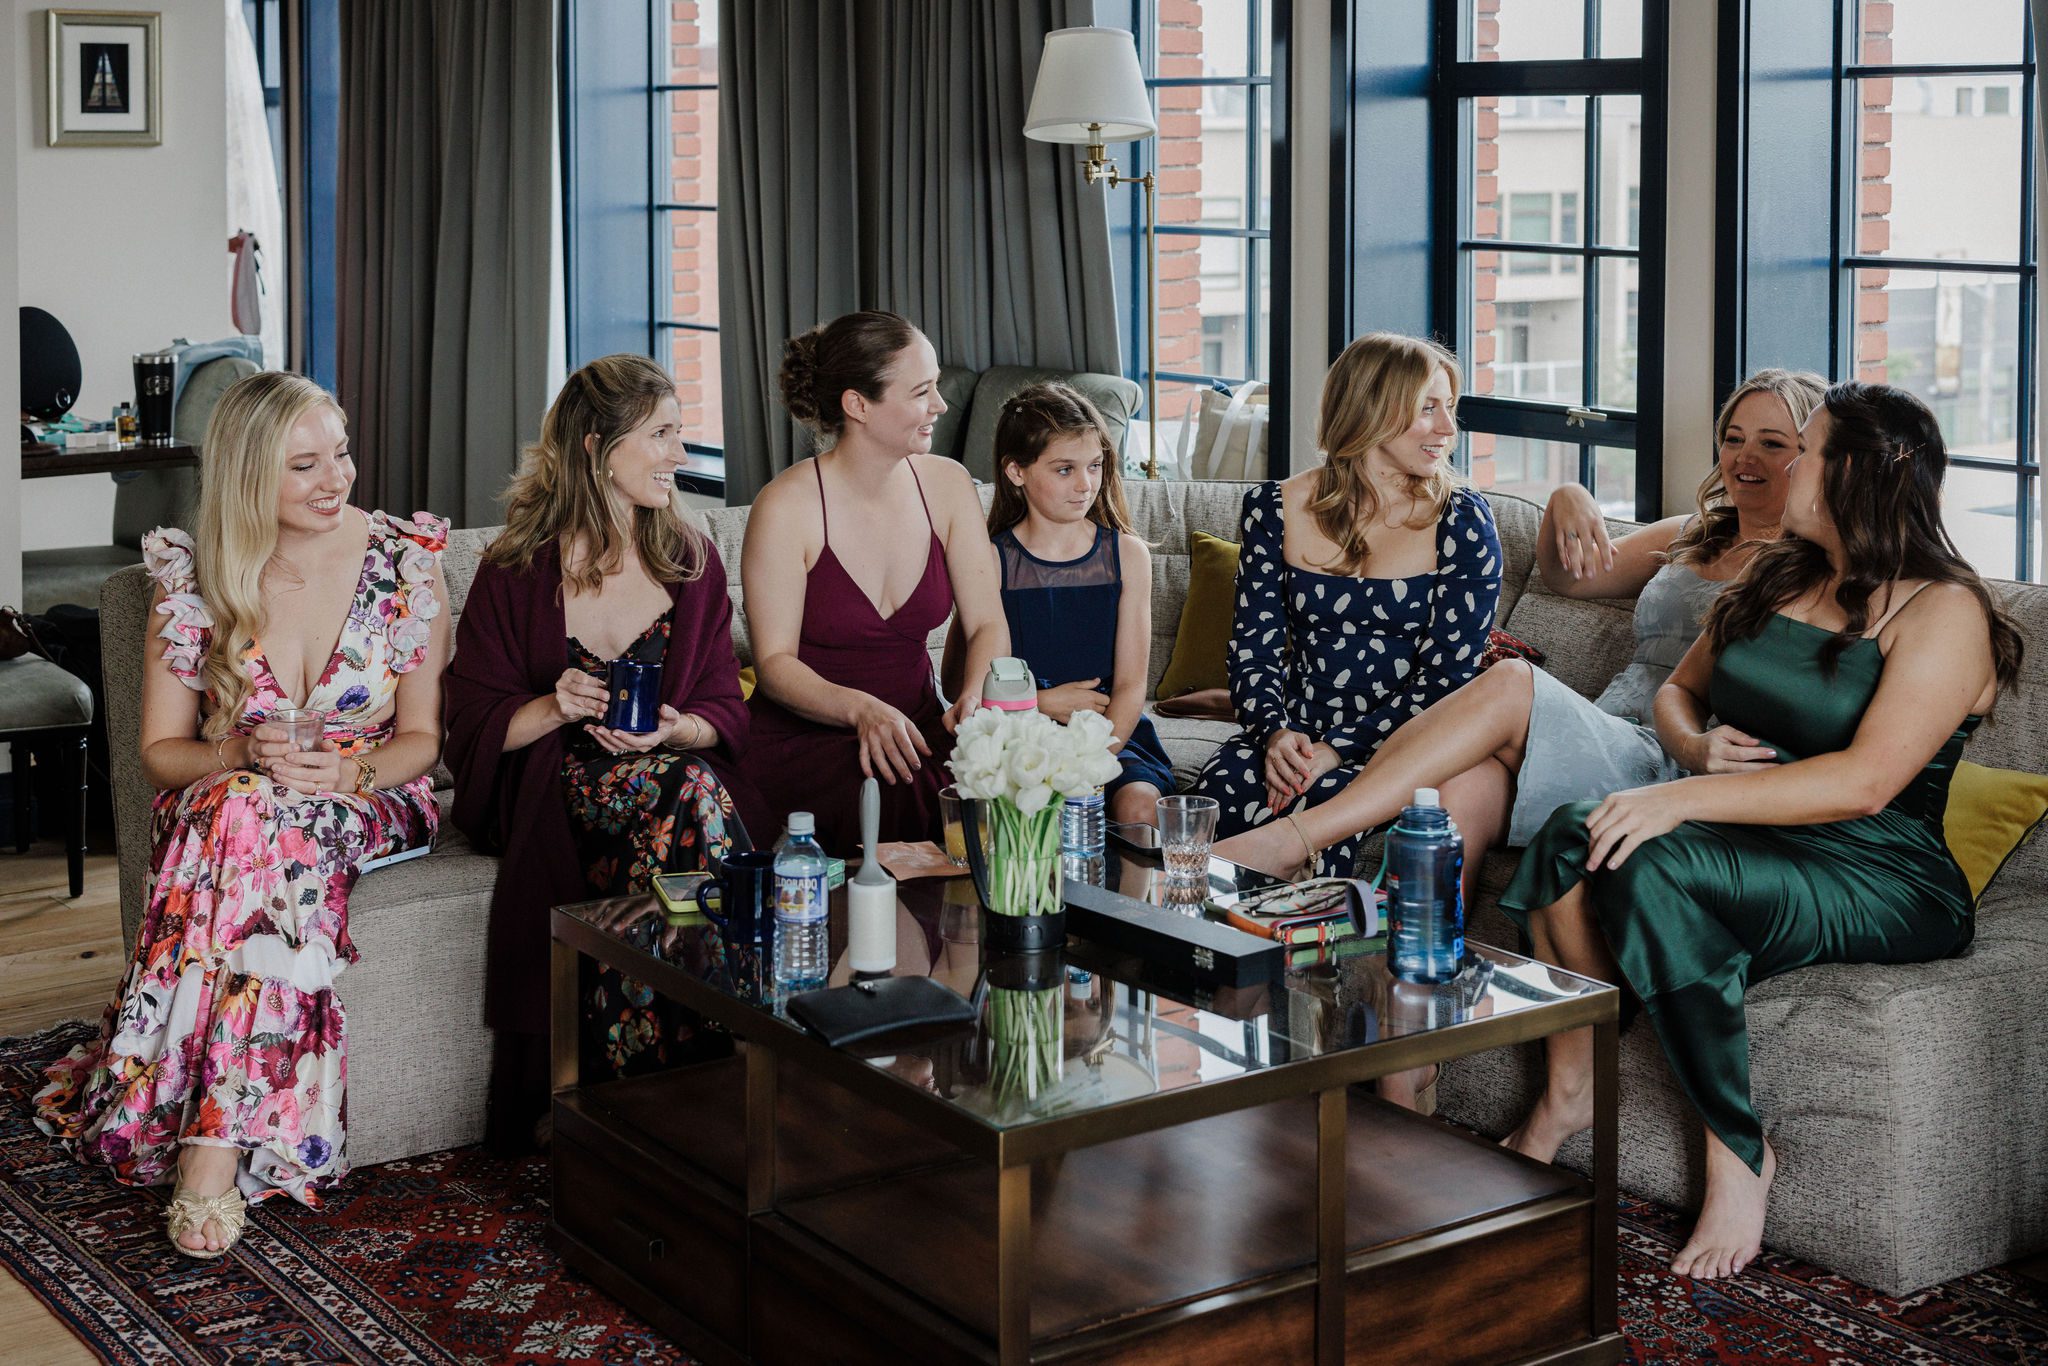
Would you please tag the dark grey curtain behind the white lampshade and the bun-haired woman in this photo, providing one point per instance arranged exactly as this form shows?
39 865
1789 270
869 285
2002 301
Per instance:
873 155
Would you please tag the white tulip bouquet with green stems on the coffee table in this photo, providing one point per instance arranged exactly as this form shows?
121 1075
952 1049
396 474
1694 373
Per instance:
1021 767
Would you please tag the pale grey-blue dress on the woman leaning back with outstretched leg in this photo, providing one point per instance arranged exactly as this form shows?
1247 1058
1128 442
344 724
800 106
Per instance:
1584 751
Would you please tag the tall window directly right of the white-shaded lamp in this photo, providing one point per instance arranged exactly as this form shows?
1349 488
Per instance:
1211 71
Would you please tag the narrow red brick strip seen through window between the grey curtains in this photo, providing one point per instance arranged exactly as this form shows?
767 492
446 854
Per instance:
693 130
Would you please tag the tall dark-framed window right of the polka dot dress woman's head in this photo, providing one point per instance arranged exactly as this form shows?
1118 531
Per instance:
1545 116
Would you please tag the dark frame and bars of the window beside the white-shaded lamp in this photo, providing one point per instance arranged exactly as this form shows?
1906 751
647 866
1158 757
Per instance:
1265 148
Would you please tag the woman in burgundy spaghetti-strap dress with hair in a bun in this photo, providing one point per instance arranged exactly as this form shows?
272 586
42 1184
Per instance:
853 560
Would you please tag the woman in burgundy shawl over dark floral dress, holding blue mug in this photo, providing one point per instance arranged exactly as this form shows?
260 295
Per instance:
577 810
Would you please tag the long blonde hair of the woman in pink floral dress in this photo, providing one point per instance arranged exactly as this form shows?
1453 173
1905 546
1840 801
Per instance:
234 540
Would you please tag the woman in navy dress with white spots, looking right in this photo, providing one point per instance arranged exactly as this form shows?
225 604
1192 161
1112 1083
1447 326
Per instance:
1365 591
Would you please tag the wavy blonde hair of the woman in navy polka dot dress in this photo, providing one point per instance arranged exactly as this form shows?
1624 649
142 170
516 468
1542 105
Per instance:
1371 396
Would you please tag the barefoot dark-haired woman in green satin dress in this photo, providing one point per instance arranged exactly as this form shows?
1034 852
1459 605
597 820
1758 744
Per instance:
1865 652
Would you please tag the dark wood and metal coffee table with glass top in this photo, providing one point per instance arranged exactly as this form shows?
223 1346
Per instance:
1107 1162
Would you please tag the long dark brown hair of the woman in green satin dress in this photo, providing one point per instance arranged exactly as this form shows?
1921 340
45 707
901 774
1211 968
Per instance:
1881 480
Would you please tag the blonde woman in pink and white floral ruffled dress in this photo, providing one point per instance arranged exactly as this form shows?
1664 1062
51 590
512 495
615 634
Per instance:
222 1060
